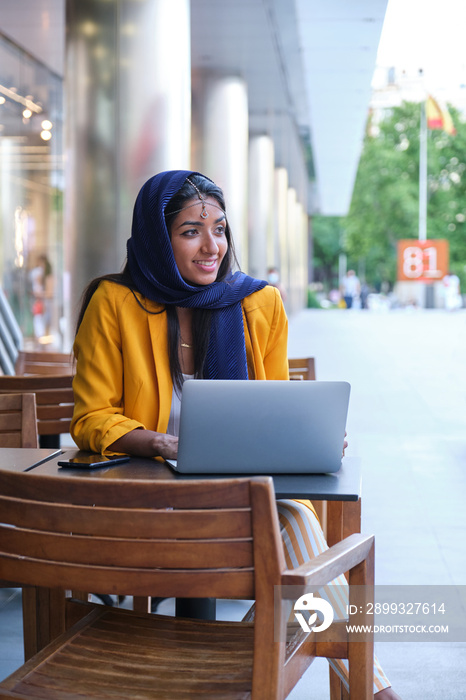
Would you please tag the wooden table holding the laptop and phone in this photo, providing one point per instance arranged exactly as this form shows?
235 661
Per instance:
337 498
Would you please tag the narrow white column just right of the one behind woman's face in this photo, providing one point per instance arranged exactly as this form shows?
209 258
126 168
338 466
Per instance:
261 210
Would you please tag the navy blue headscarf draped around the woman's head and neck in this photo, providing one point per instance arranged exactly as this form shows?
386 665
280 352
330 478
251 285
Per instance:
154 271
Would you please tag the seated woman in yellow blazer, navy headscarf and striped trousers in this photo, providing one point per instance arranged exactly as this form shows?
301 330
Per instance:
177 311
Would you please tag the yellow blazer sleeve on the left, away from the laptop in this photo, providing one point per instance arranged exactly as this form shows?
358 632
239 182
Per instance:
98 418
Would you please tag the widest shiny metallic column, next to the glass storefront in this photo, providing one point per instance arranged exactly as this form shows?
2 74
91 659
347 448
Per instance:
127 76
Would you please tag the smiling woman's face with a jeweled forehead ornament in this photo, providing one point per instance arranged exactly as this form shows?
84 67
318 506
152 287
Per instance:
199 245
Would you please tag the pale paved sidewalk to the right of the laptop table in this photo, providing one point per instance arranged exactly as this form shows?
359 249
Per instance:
407 423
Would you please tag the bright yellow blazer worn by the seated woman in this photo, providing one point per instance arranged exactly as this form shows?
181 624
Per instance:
123 378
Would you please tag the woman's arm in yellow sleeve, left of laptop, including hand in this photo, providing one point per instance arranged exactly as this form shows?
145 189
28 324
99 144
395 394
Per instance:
103 420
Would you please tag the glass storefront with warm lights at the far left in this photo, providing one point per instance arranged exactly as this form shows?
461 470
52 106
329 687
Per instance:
31 194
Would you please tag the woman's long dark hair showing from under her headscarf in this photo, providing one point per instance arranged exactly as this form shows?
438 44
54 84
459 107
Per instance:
201 319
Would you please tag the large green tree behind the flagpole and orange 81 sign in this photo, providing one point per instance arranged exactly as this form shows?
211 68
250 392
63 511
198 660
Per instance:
385 203
